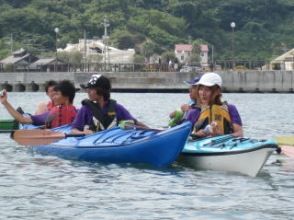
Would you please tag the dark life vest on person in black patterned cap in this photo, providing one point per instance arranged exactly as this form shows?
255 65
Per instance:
102 120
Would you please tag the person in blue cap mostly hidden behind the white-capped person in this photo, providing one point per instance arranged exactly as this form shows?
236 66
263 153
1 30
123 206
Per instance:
176 117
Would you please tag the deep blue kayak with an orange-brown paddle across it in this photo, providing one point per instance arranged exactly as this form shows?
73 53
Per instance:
116 145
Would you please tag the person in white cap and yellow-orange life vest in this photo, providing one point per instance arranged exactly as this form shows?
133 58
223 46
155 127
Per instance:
211 116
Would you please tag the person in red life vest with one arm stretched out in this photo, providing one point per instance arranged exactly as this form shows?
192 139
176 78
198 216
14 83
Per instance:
62 113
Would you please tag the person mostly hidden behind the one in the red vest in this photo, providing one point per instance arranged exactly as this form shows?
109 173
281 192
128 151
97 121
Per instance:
50 92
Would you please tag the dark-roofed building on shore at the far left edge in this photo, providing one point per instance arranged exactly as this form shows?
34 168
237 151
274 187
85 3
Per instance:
19 61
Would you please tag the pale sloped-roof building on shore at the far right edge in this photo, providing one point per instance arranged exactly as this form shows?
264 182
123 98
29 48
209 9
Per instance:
283 62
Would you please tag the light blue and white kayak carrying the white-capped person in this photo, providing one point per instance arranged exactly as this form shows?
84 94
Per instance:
228 153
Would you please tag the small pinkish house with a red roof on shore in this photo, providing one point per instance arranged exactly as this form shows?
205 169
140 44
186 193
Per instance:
183 53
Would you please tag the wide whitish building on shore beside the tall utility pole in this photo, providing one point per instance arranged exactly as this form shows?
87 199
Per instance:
92 48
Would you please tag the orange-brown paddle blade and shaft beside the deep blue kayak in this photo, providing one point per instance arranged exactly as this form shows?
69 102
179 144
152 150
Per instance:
39 137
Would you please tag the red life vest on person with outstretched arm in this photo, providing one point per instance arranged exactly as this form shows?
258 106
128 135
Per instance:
62 114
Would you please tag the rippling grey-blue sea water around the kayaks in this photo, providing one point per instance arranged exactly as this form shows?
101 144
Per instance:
38 187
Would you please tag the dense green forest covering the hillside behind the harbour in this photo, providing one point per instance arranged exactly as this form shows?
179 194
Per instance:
264 28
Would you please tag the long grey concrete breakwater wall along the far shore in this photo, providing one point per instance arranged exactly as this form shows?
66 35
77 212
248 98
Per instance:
233 81
